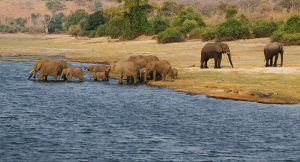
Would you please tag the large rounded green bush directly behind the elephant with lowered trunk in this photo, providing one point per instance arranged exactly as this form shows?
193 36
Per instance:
232 29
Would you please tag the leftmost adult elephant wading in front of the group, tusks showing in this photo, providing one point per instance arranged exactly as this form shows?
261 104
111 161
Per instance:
48 67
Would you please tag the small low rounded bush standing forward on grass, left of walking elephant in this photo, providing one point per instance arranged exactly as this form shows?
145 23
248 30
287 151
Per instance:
170 35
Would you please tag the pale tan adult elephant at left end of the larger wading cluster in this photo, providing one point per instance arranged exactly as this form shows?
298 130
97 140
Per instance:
125 68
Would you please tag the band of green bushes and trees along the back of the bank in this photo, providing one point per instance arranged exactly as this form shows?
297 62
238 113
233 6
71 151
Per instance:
170 22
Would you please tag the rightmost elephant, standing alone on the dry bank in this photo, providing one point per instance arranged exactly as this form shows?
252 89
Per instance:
272 50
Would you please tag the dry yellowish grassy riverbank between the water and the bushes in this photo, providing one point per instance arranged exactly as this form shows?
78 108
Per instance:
248 81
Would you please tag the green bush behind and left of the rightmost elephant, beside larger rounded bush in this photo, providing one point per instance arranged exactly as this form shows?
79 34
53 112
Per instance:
264 29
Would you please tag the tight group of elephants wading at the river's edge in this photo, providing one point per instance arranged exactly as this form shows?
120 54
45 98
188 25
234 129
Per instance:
137 68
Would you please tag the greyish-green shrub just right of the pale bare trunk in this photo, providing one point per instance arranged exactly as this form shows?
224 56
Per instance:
56 23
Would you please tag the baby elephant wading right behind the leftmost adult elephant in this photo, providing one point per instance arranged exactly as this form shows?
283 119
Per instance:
69 73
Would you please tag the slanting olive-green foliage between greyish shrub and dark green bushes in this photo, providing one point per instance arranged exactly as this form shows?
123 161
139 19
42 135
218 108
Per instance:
75 18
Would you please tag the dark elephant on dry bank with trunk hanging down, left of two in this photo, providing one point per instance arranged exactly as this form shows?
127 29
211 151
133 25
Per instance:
215 51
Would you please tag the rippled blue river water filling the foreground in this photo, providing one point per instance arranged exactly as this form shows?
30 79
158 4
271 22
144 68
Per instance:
103 121
